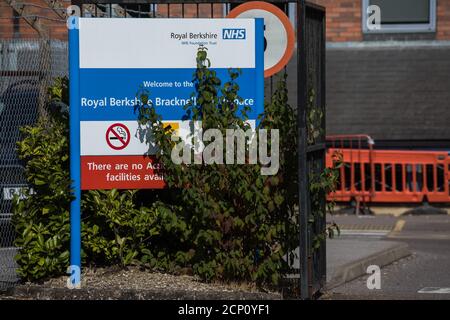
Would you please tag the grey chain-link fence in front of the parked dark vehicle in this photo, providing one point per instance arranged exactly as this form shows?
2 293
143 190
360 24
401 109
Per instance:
27 67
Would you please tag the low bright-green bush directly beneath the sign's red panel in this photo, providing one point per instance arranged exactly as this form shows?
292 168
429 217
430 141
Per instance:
118 232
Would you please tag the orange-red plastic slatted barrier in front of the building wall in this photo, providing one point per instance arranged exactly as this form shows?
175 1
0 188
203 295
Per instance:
388 176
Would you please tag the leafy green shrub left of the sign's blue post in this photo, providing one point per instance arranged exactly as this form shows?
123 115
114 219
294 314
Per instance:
42 219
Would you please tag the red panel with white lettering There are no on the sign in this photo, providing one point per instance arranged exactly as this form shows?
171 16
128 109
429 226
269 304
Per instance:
120 172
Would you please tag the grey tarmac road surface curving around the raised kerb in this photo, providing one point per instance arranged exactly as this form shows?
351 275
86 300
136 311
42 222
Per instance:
426 270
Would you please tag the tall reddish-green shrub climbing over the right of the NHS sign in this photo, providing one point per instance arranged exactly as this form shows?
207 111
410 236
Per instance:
241 221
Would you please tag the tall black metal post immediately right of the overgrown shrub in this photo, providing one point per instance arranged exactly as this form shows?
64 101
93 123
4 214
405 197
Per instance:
302 168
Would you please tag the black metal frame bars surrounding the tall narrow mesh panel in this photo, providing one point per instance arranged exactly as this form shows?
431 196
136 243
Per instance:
311 157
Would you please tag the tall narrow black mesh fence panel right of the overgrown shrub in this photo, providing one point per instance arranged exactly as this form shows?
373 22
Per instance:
312 151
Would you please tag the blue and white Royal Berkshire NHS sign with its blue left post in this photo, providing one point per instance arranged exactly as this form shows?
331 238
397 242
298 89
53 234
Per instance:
112 59
